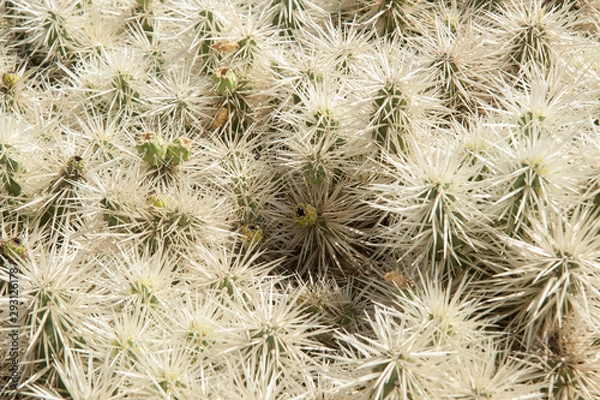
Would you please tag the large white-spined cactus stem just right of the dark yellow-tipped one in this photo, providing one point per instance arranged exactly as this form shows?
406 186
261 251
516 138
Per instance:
436 206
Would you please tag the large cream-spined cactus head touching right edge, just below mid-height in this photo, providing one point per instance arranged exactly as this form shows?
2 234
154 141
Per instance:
550 273
